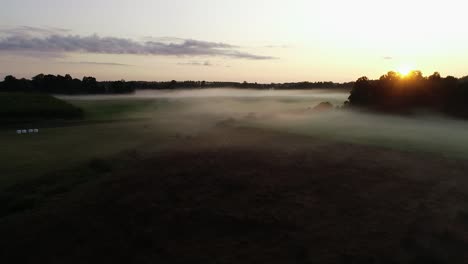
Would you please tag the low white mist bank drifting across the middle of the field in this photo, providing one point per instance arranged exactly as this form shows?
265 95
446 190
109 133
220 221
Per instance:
188 111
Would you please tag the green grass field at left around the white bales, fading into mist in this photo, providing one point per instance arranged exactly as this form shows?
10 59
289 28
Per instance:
108 128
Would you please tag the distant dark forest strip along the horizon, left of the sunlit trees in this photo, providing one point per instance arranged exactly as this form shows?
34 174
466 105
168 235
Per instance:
58 84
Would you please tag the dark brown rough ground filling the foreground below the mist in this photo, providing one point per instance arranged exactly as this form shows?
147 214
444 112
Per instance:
238 195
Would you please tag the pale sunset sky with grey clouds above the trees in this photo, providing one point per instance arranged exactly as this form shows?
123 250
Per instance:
240 40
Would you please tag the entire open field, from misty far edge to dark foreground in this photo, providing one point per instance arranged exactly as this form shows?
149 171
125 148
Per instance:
225 179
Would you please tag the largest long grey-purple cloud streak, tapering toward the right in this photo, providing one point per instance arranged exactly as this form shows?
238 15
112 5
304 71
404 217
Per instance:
29 39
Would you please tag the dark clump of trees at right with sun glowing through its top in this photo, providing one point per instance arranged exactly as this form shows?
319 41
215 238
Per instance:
397 93
